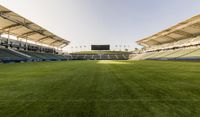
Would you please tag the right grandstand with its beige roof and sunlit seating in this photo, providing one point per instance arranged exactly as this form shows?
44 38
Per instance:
180 42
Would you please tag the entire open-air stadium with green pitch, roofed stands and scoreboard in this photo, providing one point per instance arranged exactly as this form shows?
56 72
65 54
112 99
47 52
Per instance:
39 79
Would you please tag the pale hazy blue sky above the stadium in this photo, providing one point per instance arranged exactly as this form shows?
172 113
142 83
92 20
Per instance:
113 22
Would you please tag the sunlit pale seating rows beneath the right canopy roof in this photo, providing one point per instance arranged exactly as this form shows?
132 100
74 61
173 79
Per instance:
192 53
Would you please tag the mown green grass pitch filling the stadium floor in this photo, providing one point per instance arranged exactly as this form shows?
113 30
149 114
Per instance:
100 88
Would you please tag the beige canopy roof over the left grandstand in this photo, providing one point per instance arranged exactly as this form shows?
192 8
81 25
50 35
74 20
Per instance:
16 25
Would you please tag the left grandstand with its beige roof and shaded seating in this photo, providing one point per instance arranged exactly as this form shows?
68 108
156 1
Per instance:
21 48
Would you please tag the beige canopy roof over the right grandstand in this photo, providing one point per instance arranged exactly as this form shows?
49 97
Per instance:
186 29
